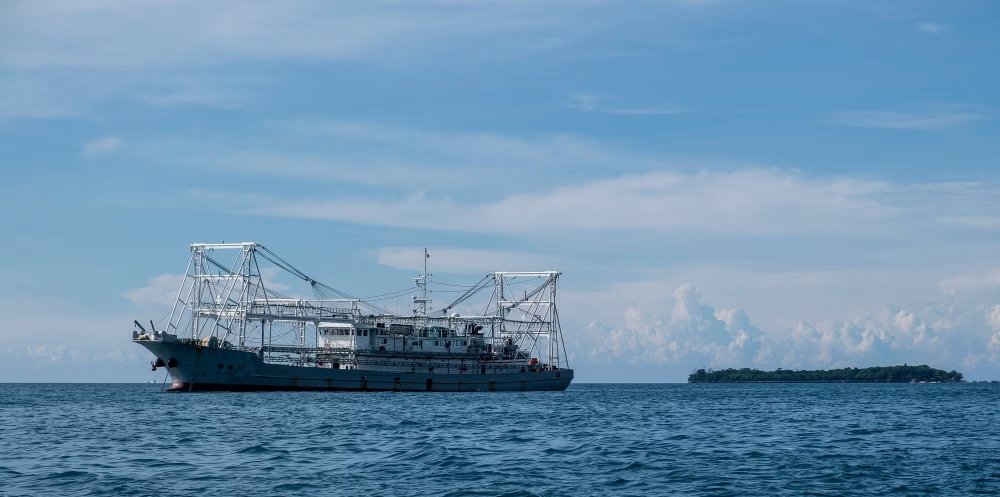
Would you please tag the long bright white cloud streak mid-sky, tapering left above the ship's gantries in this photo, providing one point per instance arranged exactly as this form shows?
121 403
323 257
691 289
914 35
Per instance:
750 201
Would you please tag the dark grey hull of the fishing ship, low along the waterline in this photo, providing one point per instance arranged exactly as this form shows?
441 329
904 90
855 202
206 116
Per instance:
203 368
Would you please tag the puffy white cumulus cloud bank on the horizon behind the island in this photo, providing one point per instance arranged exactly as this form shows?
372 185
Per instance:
692 334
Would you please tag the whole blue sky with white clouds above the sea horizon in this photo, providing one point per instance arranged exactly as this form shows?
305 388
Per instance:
795 184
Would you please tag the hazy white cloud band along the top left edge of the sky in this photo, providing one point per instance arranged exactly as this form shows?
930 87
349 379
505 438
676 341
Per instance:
111 34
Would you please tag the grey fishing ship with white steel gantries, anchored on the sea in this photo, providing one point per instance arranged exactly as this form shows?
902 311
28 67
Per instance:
233 328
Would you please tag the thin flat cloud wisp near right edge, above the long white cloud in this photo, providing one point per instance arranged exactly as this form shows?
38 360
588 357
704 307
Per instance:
925 121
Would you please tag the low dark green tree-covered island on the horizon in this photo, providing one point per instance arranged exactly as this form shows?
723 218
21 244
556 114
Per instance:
884 374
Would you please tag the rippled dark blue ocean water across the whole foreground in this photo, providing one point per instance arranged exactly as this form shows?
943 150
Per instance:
593 439
